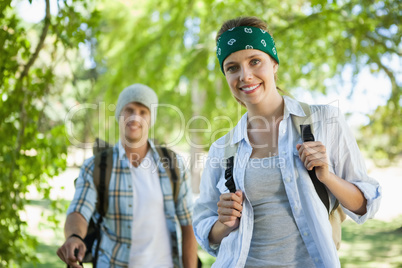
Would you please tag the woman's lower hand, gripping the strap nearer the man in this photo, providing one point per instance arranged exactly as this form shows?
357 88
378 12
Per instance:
230 207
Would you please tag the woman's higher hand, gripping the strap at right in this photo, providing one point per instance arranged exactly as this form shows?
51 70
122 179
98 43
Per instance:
313 154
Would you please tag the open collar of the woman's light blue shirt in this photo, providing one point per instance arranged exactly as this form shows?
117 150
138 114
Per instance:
291 107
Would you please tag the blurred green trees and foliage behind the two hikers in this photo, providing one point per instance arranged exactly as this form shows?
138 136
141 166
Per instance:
63 63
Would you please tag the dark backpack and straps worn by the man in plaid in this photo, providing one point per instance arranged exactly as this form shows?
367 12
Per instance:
101 175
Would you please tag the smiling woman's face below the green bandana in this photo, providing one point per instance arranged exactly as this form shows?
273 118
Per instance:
250 74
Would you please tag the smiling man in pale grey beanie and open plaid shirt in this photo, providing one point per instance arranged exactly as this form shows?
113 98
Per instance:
140 228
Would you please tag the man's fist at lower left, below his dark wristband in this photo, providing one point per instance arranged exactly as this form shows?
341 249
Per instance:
67 251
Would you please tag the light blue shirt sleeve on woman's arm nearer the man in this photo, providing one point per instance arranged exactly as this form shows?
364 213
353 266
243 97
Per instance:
206 208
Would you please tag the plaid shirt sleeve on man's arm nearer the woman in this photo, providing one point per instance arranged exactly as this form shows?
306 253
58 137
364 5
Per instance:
184 206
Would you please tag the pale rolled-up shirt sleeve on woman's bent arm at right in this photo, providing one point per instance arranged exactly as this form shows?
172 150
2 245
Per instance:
348 163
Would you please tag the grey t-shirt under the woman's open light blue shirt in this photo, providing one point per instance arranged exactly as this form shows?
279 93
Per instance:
276 241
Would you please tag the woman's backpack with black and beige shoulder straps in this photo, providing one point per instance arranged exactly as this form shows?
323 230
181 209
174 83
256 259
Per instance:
304 126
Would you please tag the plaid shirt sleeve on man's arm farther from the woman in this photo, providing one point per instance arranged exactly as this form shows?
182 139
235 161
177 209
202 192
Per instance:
85 193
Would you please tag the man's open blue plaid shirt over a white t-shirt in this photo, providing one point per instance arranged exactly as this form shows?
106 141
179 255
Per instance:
116 226
